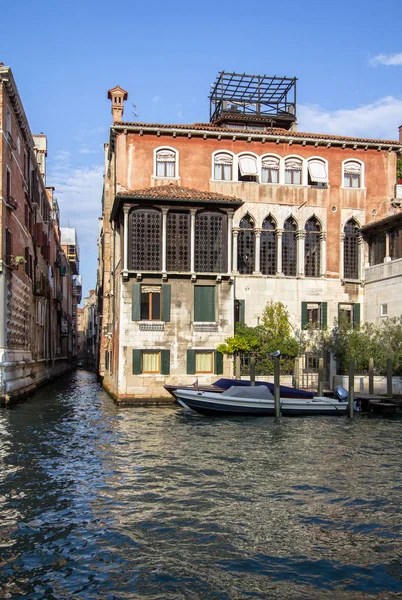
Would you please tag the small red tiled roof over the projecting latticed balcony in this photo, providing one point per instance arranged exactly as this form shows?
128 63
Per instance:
174 192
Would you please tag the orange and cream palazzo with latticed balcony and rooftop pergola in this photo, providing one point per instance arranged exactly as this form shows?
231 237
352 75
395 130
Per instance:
203 224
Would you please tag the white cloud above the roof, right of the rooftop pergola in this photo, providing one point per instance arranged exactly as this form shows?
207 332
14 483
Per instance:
380 119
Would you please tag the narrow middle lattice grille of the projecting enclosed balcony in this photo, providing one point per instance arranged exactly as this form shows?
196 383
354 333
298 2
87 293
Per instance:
178 241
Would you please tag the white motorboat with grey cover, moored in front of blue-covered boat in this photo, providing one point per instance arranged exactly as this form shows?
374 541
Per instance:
256 400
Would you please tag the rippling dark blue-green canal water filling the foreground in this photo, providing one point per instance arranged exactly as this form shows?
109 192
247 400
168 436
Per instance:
100 502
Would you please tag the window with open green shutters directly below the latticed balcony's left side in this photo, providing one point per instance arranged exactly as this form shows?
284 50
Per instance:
150 302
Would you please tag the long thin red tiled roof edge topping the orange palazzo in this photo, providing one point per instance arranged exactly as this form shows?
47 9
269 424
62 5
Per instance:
274 131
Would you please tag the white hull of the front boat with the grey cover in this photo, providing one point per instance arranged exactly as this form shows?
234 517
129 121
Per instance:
216 404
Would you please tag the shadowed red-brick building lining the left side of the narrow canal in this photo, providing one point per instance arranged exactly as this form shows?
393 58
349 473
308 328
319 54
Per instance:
35 276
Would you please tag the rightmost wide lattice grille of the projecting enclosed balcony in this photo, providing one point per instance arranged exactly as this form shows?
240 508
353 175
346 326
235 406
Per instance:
210 242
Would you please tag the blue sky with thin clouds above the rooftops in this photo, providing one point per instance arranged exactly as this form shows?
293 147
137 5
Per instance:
347 56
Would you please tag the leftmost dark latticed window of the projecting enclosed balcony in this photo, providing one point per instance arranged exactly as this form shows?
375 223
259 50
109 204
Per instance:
145 240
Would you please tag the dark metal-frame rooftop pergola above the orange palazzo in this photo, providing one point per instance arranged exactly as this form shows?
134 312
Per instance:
258 97
